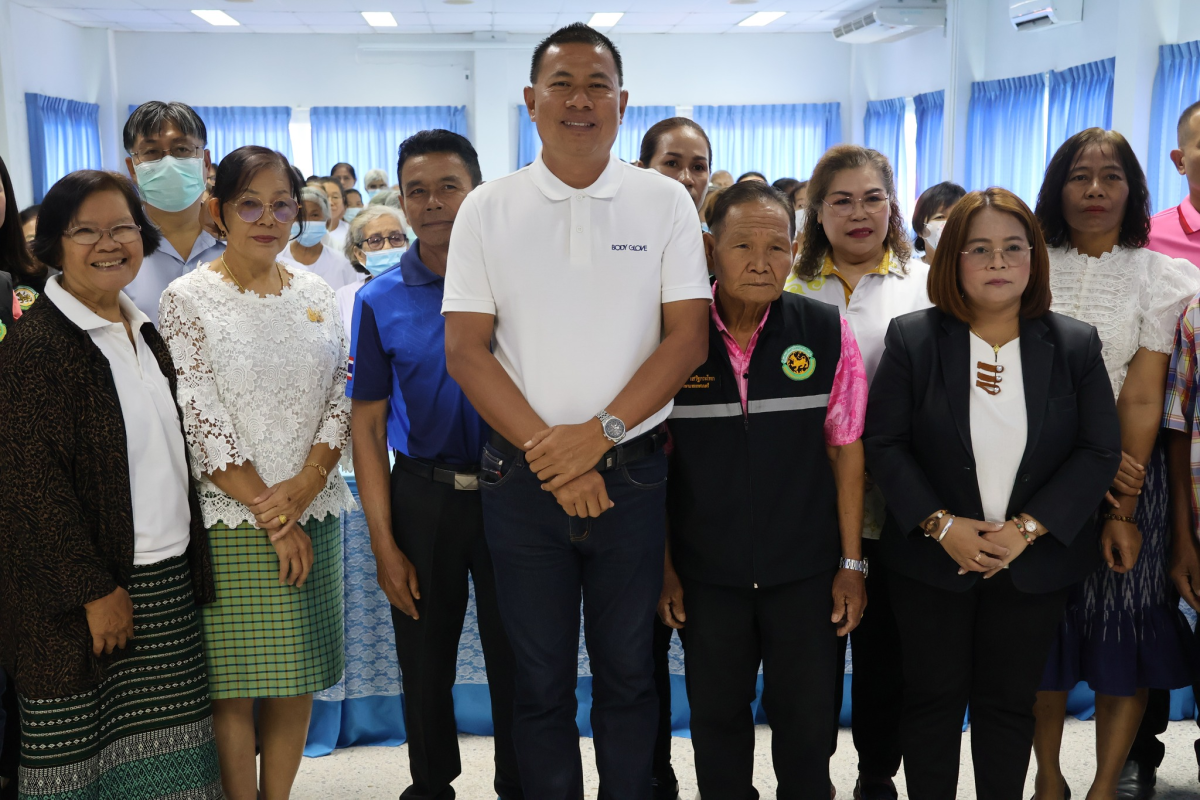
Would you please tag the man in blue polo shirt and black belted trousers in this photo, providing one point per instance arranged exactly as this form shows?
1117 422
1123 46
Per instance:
425 518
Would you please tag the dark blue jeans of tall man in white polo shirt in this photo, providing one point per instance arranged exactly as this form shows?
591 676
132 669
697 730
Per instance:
545 562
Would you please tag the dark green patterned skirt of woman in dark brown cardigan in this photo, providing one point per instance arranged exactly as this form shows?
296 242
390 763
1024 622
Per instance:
147 731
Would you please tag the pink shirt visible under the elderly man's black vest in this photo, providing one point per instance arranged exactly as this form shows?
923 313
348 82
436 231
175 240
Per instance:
847 413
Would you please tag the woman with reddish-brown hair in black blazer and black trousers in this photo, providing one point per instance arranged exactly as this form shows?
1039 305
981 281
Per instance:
993 434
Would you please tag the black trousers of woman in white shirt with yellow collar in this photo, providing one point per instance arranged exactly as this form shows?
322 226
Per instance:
877 691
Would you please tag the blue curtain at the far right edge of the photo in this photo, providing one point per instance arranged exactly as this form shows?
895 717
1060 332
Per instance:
1177 87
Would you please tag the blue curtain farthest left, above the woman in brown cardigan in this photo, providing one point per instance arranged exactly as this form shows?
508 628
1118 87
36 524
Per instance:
64 136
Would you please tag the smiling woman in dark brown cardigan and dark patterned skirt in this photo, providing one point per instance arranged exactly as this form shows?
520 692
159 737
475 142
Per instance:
105 555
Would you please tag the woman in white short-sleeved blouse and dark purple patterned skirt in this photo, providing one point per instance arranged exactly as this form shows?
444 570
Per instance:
1123 633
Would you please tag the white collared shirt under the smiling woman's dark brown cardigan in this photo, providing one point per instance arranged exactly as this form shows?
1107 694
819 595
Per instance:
163 518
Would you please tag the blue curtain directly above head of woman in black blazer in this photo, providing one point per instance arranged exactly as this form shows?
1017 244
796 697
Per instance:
1006 135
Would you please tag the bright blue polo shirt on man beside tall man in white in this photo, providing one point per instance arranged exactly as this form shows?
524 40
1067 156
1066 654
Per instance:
399 354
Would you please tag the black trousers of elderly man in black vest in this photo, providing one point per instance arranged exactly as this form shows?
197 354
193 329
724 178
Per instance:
787 629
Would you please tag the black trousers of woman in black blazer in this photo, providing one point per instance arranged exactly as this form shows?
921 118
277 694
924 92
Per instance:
987 647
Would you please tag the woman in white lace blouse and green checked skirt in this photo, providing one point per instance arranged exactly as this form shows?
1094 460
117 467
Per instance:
262 356
